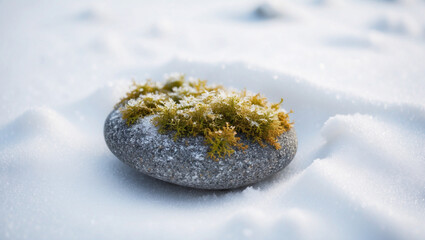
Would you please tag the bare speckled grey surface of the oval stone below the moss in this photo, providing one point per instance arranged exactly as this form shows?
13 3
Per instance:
185 162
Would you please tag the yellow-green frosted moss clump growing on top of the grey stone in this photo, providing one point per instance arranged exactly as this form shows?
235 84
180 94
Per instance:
191 108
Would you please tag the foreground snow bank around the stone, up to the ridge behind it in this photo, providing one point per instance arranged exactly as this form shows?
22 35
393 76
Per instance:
349 147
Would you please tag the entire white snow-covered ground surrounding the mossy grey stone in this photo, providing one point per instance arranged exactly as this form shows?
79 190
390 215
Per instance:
353 72
